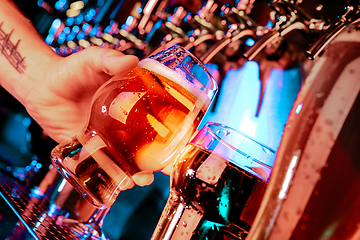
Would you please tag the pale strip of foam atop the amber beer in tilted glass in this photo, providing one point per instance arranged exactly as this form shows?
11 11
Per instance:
175 76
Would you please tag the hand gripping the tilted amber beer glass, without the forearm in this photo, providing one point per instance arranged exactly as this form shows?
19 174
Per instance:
60 98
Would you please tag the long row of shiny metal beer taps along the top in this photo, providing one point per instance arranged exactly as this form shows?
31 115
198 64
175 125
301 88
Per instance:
224 33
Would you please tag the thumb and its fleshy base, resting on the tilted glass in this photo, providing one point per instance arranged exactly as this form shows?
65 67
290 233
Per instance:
88 69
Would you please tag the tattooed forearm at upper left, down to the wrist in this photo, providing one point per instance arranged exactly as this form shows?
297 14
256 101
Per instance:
23 52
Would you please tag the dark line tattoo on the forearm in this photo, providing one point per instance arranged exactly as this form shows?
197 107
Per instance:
9 51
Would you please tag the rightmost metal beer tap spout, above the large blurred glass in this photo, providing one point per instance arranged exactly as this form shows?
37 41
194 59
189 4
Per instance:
351 16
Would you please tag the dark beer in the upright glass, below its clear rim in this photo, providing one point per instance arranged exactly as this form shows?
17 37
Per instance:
210 198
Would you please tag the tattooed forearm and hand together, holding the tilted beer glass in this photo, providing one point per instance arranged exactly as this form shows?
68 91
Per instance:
56 91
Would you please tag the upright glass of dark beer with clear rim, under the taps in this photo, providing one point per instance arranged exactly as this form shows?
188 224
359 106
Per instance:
216 186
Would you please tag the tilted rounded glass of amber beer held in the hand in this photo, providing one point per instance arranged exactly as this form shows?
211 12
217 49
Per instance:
138 122
